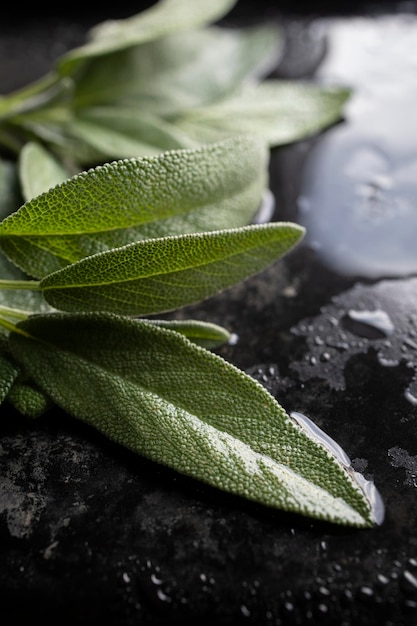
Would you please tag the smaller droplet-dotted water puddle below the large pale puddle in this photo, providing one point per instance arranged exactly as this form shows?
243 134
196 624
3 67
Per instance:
382 316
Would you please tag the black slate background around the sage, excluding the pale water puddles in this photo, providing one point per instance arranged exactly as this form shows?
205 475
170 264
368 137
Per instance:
91 532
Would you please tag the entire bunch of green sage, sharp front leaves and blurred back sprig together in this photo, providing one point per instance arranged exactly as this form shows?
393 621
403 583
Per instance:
163 216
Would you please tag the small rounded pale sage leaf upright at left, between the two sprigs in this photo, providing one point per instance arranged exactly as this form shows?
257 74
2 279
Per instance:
39 170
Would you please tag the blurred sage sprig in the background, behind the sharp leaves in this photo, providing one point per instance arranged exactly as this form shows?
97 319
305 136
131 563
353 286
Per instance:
164 79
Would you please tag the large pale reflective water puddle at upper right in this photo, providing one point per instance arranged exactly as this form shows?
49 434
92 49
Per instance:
358 196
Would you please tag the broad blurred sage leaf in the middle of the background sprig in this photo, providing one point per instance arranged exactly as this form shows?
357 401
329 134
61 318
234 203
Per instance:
179 72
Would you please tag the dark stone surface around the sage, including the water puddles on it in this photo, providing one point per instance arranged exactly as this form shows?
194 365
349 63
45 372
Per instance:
90 532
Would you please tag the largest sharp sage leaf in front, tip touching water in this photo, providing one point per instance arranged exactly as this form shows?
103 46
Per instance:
156 393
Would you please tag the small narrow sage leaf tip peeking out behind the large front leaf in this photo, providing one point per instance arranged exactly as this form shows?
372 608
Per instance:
205 334
